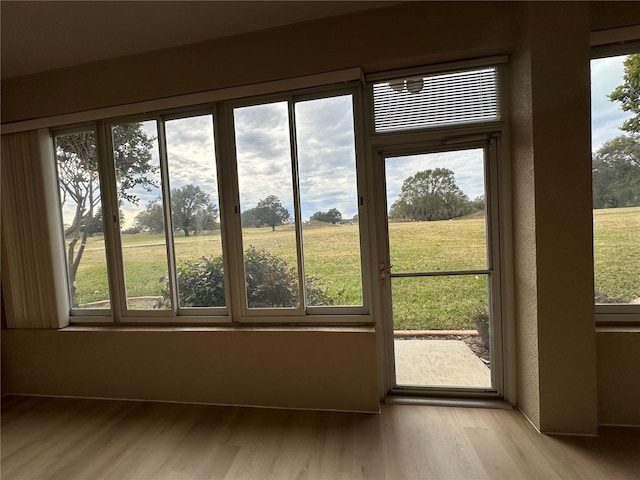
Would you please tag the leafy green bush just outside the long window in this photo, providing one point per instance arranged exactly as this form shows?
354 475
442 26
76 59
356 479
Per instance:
269 280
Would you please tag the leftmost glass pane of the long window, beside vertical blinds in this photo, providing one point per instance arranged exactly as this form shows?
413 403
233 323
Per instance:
80 204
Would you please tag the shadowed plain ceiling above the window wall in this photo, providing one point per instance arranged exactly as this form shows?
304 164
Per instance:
37 36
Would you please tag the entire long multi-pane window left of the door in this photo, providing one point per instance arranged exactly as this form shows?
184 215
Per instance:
165 247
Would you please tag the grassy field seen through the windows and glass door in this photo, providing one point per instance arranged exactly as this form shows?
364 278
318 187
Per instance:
332 255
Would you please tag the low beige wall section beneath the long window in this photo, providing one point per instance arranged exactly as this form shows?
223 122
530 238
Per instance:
267 367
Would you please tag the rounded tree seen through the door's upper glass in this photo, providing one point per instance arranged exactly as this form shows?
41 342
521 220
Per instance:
430 195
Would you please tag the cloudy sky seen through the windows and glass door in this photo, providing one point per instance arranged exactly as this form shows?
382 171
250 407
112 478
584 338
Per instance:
326 158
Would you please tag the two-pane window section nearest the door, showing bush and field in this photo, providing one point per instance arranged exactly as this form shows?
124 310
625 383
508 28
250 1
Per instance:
309 203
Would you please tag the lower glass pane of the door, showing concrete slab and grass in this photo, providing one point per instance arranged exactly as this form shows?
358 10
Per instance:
441 327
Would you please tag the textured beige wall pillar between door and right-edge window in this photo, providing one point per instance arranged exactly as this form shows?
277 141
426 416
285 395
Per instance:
555 326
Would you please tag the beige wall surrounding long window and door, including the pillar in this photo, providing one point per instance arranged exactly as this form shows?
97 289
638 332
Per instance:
549 92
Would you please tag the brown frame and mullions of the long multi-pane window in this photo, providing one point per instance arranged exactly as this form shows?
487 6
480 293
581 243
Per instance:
235 311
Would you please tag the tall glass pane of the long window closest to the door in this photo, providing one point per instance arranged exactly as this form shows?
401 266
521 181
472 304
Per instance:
329 201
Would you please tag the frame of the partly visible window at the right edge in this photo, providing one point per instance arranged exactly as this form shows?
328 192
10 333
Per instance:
624 313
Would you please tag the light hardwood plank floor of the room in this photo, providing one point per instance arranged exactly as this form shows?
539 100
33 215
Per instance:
56 438
